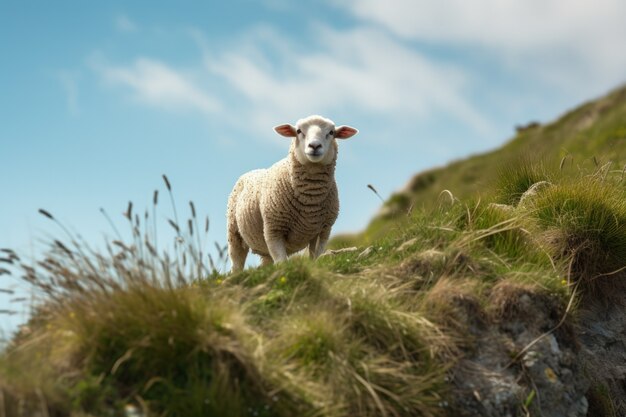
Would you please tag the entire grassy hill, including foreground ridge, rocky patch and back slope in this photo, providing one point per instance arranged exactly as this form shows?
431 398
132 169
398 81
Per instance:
447 305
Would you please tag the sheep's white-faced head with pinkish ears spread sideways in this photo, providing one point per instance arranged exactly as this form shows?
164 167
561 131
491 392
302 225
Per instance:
315 138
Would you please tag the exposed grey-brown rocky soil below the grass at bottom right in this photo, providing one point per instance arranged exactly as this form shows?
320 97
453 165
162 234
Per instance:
525 363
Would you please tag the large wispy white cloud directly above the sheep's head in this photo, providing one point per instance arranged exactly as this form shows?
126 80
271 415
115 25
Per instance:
361 69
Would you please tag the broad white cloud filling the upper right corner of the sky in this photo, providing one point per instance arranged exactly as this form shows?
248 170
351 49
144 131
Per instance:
566 42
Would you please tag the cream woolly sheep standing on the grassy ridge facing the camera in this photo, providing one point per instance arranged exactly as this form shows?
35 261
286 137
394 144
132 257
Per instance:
278 211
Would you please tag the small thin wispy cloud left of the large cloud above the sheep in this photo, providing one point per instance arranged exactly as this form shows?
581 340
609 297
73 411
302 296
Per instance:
158 84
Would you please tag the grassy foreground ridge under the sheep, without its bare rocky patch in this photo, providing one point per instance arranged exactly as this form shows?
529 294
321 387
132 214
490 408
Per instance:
366 332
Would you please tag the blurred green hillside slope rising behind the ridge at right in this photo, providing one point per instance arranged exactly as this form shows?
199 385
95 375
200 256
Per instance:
589 136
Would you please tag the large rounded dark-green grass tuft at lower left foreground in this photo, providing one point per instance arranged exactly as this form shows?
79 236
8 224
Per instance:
178 351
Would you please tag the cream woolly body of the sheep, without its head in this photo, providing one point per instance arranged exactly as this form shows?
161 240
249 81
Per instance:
290 200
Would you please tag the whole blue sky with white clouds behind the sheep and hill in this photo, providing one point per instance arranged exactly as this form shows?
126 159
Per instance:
98 100
